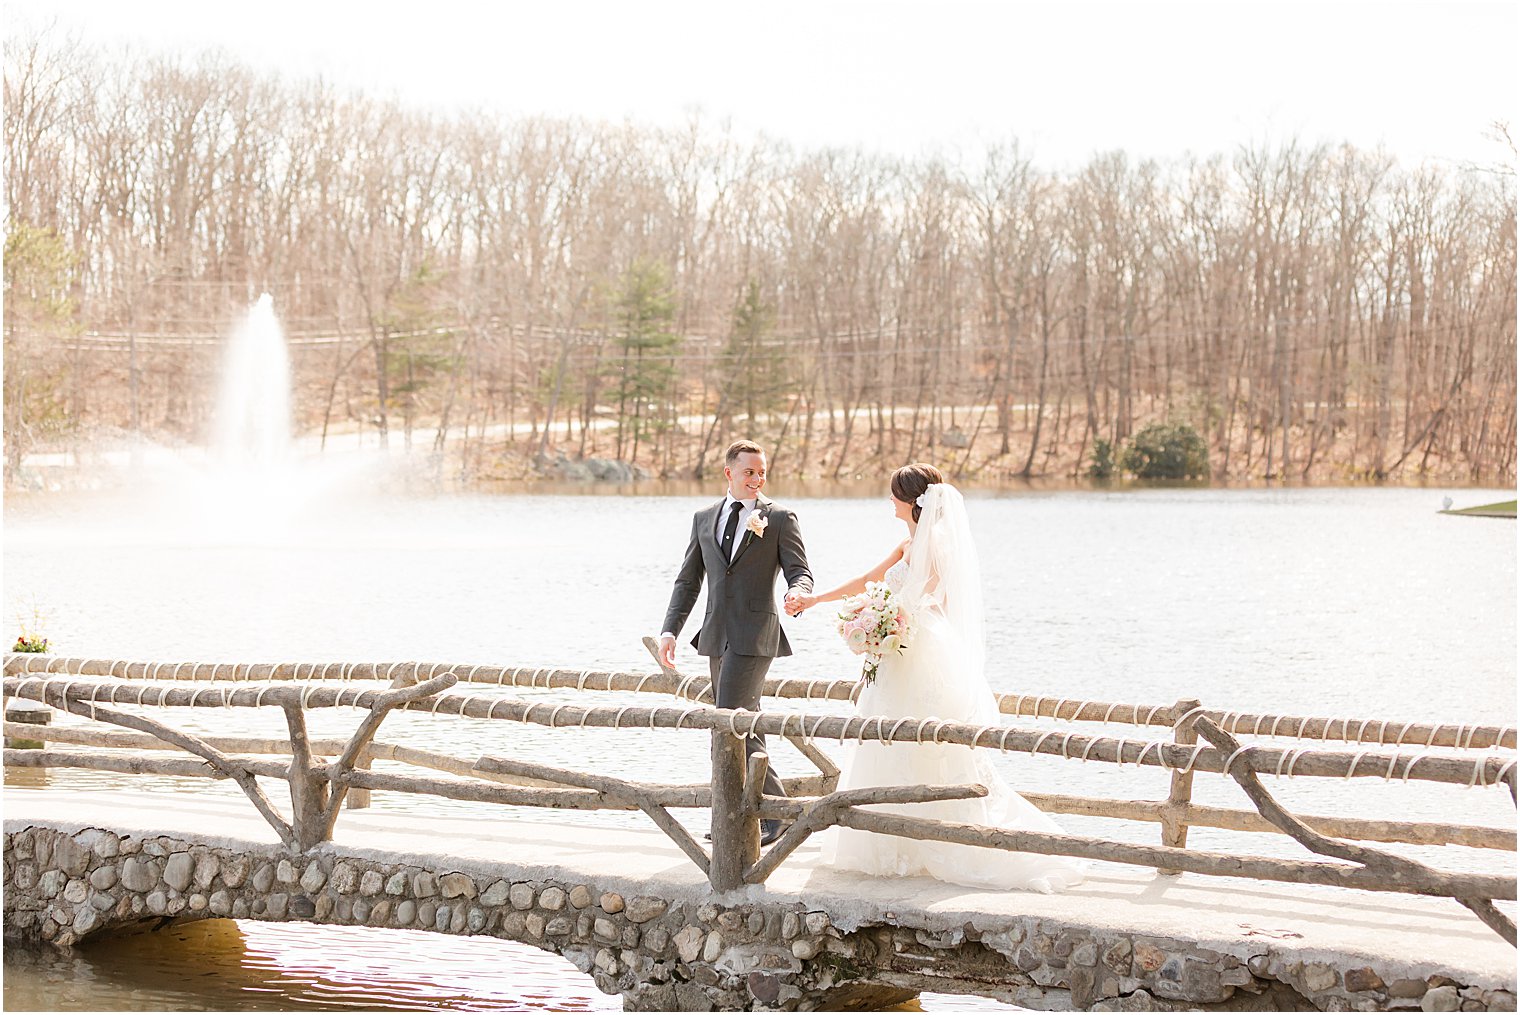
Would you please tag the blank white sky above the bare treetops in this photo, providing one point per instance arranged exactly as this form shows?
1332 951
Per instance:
904 77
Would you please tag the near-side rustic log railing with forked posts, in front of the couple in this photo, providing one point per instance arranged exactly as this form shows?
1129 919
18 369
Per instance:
318 789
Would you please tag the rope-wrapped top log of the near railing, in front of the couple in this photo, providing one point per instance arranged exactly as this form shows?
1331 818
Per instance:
1483 771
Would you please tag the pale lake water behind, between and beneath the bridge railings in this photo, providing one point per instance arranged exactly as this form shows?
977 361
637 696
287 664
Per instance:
1346 602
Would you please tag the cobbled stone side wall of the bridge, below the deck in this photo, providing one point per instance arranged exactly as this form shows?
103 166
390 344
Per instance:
676 955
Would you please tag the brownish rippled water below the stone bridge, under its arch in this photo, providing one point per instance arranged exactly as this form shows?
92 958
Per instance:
250 967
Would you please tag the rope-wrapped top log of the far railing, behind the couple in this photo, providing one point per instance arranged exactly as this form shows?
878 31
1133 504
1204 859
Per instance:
1343 730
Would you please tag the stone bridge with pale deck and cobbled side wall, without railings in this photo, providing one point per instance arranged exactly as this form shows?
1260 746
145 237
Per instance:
635 912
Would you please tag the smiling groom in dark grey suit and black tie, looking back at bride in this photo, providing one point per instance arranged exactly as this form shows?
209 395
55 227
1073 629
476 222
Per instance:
739 545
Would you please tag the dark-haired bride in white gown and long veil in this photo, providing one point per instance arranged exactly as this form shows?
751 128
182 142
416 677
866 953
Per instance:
937 675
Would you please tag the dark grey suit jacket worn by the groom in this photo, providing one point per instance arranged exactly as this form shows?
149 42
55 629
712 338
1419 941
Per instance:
741 596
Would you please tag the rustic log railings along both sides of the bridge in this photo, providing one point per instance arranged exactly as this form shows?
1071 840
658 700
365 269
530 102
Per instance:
1477 756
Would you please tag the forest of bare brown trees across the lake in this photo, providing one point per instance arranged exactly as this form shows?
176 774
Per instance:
1317 314
